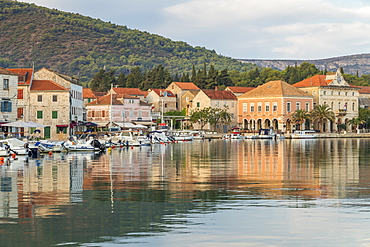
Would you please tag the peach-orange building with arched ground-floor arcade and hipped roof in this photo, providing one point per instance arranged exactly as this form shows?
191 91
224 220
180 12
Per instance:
271 105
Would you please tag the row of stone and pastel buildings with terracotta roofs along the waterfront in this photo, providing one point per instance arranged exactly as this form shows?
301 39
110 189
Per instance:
61 104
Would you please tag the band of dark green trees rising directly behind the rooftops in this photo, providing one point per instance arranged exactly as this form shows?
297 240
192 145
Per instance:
209 78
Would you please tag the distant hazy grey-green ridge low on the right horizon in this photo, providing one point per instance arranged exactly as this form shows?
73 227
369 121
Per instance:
351 64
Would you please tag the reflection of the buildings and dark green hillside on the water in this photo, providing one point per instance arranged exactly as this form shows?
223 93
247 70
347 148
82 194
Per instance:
89 197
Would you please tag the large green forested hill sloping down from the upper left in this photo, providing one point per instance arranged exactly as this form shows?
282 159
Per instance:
79 46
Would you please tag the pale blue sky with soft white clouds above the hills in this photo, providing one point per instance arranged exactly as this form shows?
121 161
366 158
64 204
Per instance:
244 29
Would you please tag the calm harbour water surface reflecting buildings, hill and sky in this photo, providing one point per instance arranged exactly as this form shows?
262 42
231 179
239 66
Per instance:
201 193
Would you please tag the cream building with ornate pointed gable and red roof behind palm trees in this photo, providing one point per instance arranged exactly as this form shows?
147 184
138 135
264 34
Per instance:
332 90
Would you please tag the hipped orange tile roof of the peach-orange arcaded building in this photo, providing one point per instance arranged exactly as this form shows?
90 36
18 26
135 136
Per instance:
274 89
